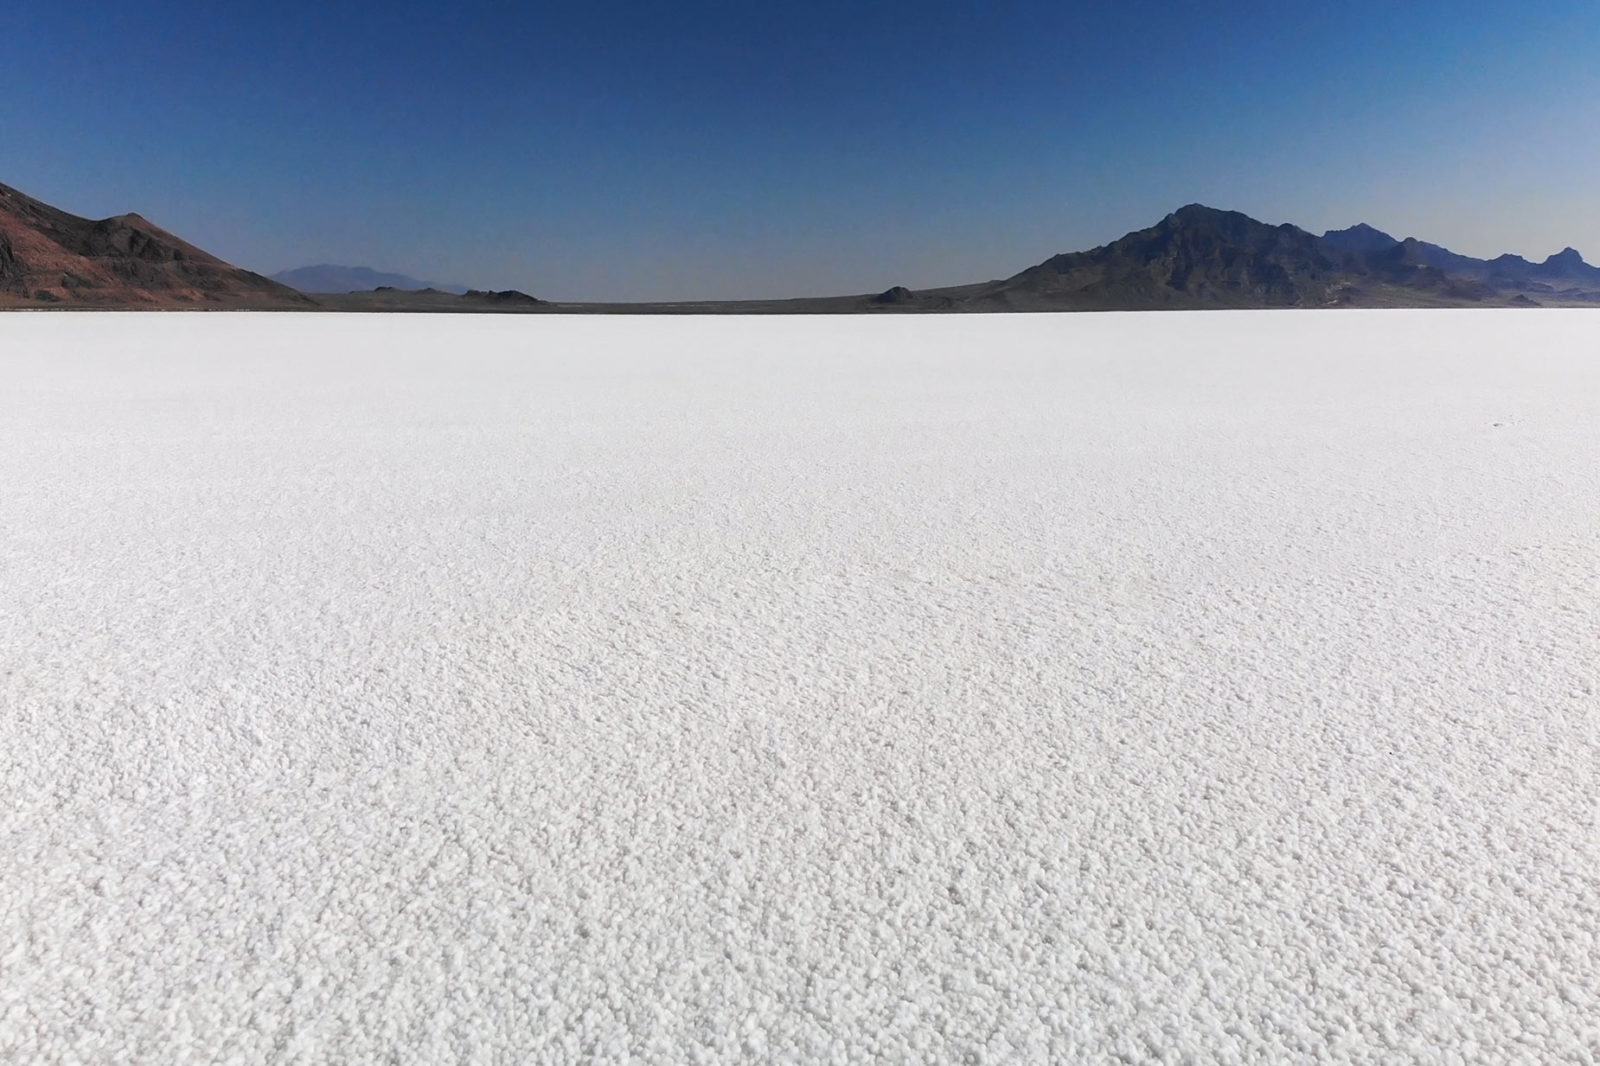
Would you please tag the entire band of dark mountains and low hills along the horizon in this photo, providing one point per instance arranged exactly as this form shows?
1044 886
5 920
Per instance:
1194 258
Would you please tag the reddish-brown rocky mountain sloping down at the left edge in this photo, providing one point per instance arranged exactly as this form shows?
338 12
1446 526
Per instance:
54 258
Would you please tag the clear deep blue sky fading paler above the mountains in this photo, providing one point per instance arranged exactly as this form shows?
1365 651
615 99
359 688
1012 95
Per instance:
706 150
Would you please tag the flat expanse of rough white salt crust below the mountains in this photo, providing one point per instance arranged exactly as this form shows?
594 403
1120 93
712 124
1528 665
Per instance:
1210 689
